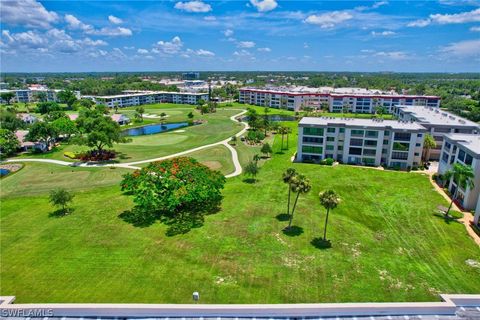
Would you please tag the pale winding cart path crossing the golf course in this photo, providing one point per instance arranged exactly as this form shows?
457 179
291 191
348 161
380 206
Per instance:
131 165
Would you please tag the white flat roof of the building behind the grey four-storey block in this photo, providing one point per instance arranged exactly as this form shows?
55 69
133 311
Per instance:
436 116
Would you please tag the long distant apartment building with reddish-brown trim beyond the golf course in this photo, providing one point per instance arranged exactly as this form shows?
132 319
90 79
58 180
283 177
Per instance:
335 99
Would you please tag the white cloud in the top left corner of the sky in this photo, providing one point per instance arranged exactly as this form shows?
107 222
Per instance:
28 13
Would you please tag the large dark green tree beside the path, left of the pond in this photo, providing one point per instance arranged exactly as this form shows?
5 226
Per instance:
98 131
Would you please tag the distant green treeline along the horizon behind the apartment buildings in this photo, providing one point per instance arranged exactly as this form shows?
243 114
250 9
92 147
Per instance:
460 92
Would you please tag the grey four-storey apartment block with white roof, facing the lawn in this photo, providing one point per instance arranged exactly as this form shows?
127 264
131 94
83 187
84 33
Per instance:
361 141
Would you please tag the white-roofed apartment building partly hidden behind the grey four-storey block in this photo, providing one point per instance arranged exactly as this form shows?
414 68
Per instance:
437 122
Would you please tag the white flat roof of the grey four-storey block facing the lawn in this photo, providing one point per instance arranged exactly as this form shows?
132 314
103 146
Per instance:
354 122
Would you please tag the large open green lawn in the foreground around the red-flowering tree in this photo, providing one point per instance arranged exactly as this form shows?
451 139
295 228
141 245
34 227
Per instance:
387 242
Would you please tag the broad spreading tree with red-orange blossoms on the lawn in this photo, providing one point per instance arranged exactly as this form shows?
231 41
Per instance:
181 189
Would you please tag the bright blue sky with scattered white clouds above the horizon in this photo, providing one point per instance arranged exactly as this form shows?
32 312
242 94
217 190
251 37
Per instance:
423 36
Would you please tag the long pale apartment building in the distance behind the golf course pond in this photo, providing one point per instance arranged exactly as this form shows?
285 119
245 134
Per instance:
129 99
